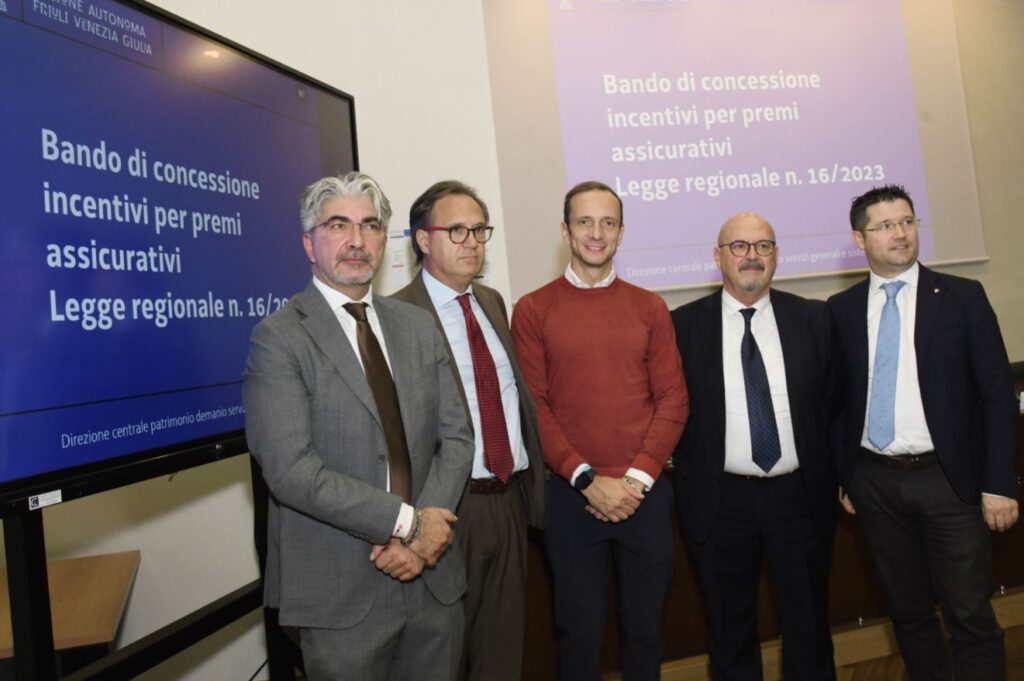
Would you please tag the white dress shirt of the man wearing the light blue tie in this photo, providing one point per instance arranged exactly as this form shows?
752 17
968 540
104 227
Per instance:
913 436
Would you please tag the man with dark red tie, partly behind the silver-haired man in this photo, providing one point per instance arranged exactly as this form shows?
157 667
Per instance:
507 490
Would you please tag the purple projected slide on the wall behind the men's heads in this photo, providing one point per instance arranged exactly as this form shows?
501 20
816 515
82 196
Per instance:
696 110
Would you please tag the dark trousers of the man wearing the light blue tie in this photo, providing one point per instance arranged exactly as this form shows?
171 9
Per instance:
928 545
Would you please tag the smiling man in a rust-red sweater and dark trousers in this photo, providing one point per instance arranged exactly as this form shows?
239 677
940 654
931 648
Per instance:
601 358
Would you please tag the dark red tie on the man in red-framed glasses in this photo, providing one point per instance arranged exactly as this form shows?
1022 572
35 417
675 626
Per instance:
497 451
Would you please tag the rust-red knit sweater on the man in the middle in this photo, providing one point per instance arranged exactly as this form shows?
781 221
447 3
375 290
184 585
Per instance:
606 372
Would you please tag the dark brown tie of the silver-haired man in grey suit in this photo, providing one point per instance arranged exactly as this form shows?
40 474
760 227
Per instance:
387 400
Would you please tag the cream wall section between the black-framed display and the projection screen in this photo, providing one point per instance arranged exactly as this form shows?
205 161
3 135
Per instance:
418 72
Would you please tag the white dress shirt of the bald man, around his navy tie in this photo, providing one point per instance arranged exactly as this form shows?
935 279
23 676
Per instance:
739 455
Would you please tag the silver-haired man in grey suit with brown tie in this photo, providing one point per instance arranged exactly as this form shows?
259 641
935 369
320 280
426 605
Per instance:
354 415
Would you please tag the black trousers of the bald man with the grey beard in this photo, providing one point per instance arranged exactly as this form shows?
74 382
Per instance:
759 517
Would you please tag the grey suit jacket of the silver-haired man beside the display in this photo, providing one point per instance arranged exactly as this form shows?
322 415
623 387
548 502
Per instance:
314 428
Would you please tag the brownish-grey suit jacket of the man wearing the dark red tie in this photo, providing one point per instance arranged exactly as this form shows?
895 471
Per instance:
535 484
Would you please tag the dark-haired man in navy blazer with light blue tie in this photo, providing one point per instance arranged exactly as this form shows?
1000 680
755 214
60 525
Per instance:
930 432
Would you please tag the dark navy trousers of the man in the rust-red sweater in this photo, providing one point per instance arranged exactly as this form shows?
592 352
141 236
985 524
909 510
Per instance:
580 550
